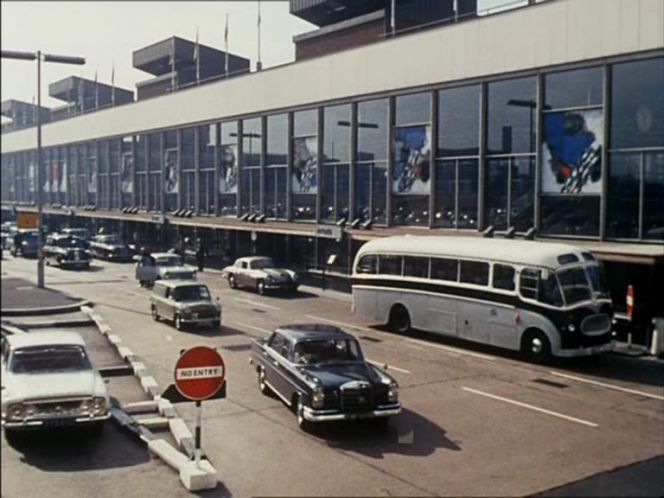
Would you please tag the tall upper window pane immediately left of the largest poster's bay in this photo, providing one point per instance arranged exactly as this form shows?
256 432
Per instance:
511 116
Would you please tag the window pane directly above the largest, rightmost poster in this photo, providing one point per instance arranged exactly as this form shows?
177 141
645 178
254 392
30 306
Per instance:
579 88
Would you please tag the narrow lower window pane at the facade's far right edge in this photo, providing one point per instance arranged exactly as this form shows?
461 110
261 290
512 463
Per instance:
653 196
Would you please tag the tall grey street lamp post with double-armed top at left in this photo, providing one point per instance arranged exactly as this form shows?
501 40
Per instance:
60 59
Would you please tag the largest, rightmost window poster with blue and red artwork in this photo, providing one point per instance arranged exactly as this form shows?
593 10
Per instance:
572 151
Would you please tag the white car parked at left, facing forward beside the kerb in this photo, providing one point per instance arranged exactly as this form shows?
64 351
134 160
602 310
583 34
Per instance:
48 381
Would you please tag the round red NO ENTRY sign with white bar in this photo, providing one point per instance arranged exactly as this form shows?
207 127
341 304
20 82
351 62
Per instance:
199 373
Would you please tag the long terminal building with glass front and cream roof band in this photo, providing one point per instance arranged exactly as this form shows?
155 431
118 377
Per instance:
544 120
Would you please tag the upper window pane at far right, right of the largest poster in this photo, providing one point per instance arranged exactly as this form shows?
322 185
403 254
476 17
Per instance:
637 104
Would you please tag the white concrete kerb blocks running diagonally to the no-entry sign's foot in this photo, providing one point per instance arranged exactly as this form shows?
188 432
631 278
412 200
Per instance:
192 477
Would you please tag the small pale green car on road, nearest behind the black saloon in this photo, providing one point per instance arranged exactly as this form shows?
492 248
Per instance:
184 302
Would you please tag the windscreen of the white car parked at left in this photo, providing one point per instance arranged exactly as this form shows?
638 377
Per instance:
46 359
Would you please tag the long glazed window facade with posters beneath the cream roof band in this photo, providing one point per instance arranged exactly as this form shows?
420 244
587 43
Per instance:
547 150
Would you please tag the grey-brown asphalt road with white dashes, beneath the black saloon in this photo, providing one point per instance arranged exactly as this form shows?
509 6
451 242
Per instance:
477 421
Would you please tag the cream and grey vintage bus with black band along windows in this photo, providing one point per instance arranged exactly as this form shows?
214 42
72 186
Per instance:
537 297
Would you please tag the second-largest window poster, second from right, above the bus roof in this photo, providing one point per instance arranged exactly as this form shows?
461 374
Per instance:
411 148
